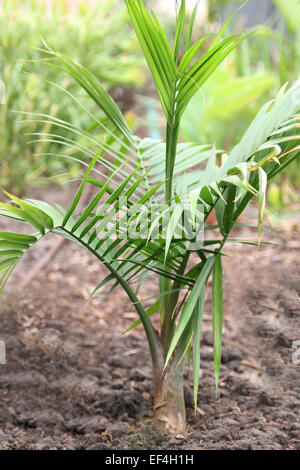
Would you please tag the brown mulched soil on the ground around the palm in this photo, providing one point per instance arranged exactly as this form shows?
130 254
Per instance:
73 381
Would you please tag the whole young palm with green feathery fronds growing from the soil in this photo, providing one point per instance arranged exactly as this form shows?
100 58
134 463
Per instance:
129 173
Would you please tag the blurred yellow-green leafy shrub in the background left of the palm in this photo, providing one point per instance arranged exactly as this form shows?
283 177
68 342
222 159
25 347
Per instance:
99 37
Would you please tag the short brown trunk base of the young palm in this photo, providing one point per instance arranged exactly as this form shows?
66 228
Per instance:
169 406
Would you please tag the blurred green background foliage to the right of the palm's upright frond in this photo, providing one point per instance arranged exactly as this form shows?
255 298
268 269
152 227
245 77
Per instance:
275 52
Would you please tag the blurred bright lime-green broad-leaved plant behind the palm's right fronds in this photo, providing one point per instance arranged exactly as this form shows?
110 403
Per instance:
225 105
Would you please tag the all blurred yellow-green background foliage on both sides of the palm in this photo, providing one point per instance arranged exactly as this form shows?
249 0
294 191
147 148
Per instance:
96 36
